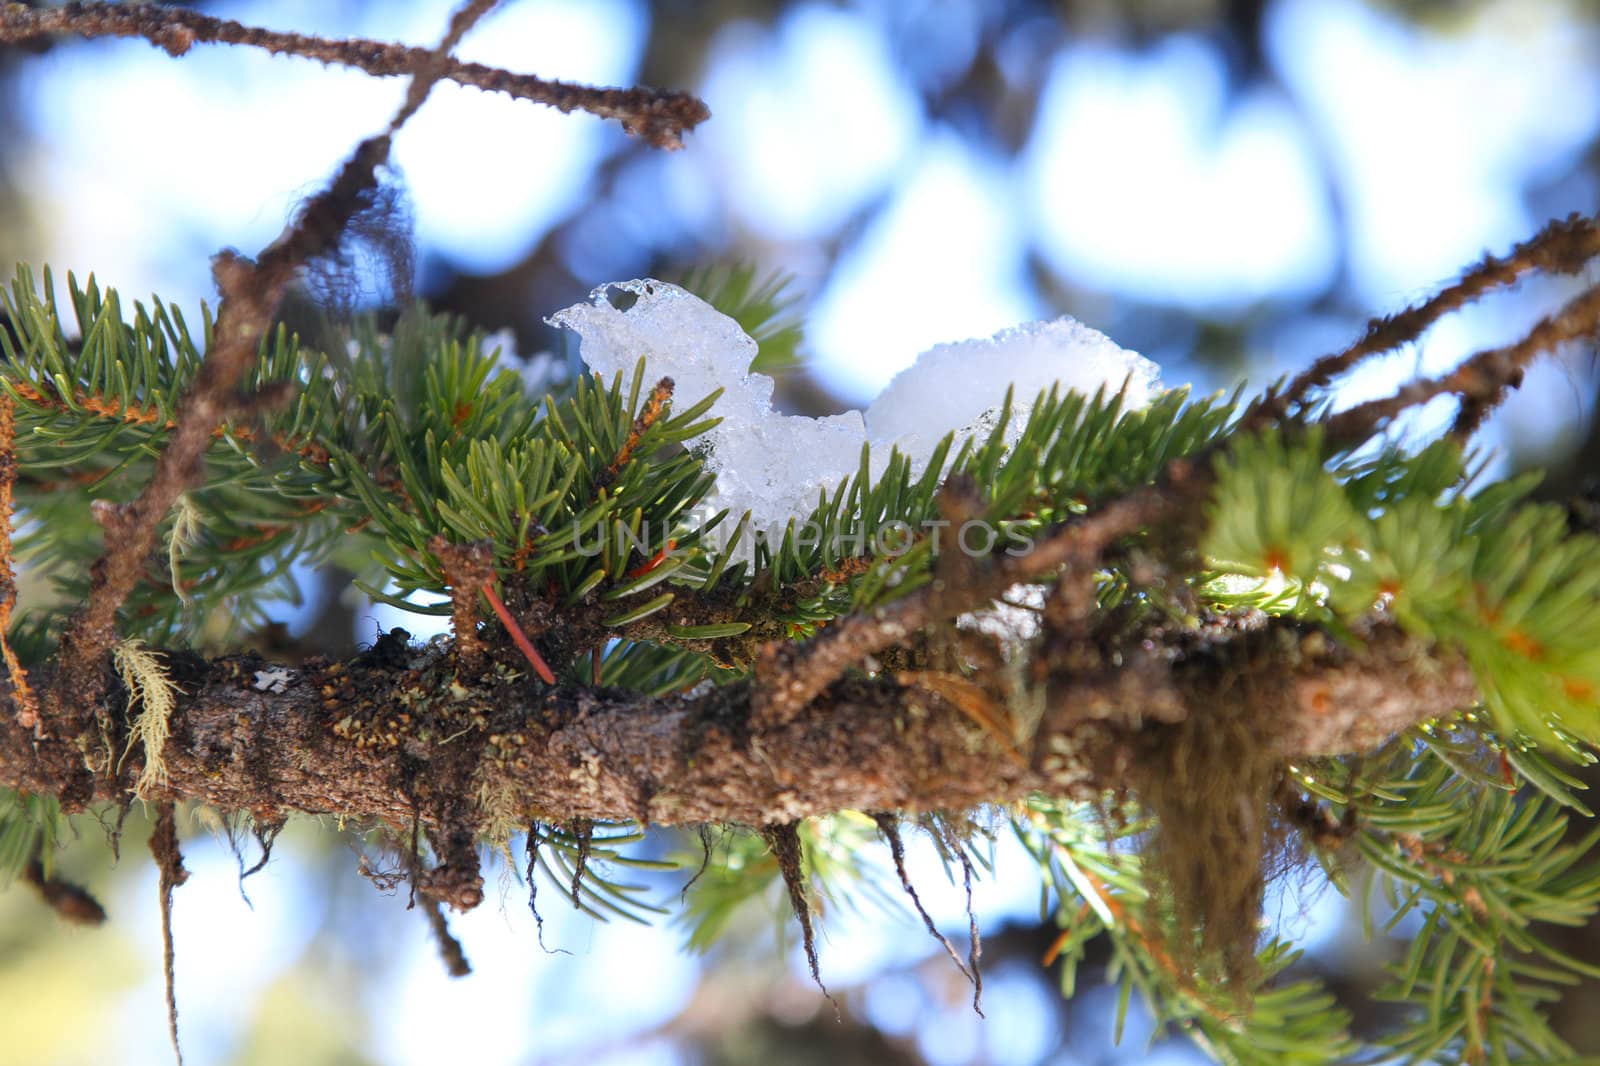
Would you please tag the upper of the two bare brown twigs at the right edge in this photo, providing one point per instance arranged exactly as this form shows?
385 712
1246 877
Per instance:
1561 247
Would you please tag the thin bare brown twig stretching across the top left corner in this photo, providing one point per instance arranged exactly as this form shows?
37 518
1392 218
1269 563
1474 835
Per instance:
660 118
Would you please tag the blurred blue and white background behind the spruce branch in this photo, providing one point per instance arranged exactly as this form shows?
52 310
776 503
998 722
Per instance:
1230 188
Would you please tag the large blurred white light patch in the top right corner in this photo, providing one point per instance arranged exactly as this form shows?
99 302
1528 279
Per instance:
1436 135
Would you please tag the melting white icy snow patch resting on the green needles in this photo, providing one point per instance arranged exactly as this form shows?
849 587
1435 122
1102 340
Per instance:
775 467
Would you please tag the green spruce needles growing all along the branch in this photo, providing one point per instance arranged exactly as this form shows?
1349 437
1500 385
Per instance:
420 435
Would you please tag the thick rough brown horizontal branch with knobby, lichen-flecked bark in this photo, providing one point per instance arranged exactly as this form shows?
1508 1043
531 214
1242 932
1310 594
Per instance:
399 735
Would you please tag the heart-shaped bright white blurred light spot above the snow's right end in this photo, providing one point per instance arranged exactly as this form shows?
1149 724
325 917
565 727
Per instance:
1150 182
